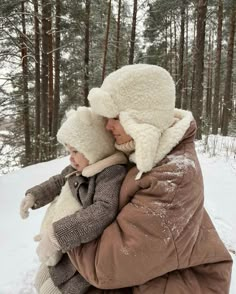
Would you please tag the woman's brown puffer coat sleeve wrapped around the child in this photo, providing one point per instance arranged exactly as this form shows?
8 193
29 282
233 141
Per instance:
138 246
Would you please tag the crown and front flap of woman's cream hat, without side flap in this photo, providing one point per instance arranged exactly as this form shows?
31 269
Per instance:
142 89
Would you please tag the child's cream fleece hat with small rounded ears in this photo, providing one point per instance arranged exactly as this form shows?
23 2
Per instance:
85 131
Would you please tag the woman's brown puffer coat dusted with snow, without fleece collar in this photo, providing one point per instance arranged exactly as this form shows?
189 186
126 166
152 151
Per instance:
162 241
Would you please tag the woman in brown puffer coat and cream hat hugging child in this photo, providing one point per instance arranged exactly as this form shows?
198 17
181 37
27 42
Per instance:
163 240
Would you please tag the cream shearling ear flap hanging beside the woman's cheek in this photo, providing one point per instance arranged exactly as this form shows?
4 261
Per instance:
146 139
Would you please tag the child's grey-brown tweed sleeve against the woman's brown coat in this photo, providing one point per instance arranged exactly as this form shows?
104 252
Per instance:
87 224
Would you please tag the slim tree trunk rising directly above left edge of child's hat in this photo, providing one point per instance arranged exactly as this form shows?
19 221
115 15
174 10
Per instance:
57 56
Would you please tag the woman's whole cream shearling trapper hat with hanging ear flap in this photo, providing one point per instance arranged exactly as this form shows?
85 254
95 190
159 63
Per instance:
143 96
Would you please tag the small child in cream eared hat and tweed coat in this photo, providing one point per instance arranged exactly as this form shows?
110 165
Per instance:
88 192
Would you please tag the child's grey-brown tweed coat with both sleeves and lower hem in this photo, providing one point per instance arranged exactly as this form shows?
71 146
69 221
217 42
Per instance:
99 196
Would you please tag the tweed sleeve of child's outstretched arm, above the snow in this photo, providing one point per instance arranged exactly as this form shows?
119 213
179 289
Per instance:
45 192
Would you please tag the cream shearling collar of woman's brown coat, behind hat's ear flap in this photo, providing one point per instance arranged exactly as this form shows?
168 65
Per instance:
171 137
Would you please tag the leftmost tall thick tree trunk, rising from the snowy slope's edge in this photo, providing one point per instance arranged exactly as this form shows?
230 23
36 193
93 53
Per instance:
27 157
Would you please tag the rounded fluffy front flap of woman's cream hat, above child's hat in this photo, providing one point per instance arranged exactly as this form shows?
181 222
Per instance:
102 103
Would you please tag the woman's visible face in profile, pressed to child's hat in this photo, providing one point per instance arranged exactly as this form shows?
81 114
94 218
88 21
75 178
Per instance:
114 126
